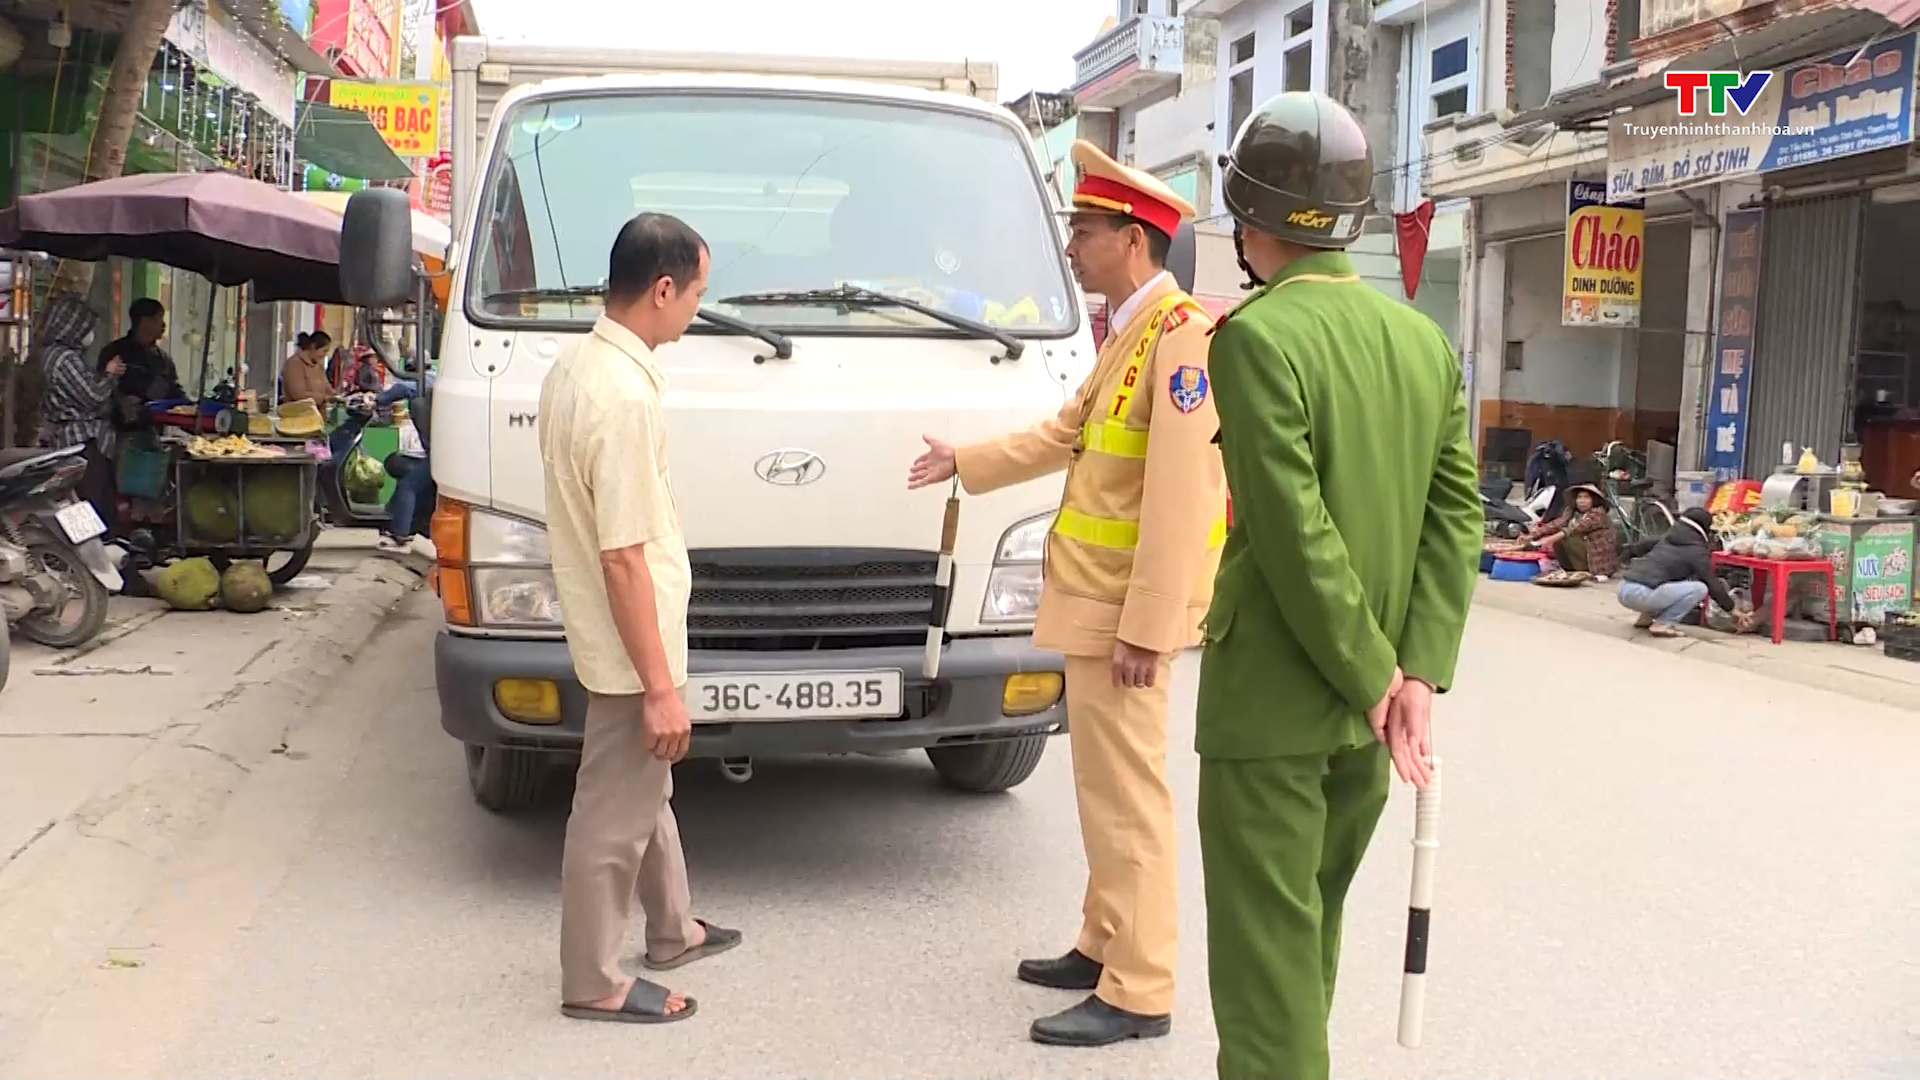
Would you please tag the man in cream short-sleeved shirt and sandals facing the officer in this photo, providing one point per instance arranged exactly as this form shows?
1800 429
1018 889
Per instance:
623 577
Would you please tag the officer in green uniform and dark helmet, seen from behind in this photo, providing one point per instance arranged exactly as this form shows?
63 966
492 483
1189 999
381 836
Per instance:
1345 585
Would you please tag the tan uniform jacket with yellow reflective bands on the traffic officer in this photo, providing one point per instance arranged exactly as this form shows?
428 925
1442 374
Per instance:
1141 520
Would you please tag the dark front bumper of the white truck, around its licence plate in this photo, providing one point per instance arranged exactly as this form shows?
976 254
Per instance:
961 706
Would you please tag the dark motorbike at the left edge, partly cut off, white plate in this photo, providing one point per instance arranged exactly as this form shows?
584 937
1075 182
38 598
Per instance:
57 576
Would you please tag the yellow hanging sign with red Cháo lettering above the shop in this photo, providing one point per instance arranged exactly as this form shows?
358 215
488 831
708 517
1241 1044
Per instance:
1604 258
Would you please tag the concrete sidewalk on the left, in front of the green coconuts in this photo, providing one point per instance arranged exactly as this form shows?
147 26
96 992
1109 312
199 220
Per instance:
116 752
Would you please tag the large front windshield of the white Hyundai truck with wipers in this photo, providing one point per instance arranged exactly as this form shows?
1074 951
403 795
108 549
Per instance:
792 193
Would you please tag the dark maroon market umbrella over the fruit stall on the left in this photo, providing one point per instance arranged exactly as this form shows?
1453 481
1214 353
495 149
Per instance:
224 228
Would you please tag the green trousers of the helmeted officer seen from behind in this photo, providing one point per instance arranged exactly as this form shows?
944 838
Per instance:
1280 843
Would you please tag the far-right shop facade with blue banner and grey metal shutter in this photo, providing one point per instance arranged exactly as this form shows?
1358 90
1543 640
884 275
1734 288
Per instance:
1808 249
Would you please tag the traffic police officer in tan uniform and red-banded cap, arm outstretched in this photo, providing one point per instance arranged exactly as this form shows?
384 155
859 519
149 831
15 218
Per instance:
1130 572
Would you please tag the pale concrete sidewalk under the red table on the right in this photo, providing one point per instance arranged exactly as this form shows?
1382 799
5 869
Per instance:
1856 672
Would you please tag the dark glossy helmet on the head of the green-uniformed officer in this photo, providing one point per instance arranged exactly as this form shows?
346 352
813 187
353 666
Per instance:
1301 170
